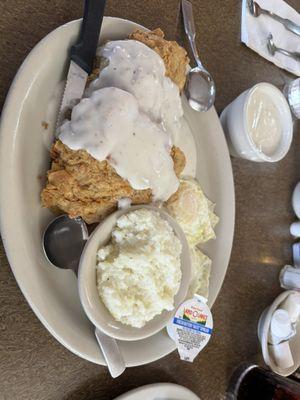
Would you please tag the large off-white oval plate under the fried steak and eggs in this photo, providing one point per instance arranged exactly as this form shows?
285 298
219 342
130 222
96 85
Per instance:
24 158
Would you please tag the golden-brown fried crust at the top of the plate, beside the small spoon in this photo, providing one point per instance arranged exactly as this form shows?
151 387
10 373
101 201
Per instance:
174 56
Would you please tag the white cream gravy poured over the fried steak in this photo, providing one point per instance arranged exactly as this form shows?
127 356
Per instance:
131 117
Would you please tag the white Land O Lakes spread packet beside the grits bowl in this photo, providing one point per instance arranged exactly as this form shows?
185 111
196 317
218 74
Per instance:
191 327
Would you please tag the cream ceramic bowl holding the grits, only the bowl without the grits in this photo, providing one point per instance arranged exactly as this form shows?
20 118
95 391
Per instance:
91 302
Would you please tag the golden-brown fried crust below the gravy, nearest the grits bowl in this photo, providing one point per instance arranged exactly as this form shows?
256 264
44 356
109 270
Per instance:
80 185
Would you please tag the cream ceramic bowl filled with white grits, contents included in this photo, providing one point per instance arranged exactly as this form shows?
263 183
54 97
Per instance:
134 272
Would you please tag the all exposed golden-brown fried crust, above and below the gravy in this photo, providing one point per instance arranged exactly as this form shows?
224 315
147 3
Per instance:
78 184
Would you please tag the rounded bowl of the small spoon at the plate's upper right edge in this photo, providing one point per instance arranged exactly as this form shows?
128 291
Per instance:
200 89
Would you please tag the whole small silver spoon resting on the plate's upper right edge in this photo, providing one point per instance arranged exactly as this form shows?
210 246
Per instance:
200 88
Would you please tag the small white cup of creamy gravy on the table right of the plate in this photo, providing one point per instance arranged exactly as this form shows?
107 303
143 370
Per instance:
258 124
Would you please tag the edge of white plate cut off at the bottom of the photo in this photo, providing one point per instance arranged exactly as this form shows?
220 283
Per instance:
159 391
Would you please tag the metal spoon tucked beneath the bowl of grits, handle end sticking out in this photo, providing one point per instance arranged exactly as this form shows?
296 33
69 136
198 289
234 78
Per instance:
63 241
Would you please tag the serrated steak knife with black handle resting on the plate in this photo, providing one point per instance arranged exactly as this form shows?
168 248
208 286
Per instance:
82 55
